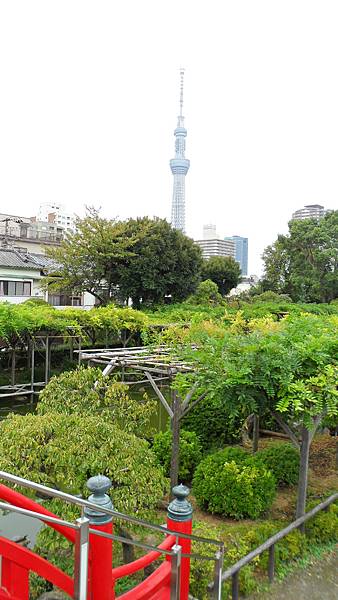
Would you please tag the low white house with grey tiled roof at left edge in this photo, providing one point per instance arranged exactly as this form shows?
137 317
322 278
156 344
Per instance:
20 279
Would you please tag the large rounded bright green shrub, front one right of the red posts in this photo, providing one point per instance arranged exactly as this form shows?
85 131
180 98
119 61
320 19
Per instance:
233 489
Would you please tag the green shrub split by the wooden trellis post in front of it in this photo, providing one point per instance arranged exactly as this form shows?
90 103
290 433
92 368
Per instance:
190 452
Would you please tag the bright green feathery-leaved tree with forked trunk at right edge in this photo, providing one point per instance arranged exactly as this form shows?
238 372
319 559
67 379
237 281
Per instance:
287 368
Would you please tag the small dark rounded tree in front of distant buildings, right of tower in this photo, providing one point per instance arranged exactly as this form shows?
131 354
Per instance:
222 270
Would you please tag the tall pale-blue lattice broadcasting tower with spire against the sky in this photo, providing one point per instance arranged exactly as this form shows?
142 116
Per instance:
179 168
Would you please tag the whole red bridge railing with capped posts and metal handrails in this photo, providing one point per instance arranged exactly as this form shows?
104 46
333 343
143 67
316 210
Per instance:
92 536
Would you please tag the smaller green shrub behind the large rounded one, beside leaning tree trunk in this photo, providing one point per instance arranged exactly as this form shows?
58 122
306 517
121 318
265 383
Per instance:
282 459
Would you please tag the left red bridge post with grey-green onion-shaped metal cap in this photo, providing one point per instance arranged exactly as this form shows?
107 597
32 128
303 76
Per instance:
101 549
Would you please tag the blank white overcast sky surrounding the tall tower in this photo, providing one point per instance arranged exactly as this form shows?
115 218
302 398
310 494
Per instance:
89 101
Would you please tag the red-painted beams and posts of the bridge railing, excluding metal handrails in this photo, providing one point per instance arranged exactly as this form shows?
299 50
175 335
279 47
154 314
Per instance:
18 562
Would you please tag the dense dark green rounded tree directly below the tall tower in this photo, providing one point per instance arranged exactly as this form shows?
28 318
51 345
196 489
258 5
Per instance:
165 262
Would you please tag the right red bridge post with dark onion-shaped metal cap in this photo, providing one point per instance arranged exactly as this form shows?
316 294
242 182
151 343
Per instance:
180 519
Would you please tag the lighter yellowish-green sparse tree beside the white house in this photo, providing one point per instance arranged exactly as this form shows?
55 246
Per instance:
89 259
